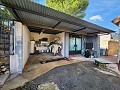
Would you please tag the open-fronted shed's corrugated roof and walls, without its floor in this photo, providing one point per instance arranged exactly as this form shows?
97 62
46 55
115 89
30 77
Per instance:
30 17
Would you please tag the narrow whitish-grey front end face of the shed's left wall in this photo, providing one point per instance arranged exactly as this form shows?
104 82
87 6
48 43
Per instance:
16 59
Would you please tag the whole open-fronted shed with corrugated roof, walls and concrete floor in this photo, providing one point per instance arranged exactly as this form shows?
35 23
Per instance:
34 18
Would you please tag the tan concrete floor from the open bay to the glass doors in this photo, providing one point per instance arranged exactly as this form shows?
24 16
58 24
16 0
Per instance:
34 69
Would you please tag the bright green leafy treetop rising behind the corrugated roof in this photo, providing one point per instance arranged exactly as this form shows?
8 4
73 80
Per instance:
72 7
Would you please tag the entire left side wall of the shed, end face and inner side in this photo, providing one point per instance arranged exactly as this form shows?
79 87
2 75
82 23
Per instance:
22 42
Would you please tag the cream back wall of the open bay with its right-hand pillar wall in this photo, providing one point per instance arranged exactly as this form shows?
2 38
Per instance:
64 40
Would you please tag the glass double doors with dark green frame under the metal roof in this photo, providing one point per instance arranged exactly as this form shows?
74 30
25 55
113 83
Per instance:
75 45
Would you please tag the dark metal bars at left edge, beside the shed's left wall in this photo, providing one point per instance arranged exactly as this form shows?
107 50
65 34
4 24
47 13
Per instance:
6 37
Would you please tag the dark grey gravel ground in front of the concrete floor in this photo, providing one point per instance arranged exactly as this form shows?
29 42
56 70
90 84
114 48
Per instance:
78 76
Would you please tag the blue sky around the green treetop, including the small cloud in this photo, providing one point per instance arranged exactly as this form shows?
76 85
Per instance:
101 12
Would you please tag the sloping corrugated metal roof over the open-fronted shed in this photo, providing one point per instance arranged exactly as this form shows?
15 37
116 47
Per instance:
42 17
